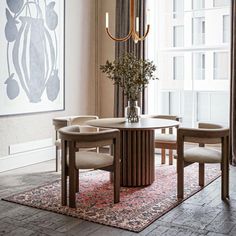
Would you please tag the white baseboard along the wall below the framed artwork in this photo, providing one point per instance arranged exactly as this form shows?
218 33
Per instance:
18 160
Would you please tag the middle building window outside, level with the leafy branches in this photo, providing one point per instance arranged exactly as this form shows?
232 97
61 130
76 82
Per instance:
198 66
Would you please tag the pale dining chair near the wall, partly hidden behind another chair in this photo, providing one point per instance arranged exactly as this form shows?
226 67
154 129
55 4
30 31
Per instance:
70 120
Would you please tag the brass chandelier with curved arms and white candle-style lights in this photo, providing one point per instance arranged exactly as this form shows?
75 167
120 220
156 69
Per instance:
134 28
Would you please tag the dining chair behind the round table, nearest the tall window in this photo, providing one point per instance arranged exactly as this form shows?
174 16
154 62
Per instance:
166 139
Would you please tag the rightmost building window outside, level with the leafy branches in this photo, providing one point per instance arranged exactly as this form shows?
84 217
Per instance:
221 66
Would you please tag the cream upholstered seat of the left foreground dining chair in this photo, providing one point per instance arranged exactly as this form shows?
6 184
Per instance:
91 160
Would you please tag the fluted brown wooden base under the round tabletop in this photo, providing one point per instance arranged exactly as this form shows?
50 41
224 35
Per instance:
137 157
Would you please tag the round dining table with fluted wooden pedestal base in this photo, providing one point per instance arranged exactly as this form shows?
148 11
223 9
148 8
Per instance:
137 147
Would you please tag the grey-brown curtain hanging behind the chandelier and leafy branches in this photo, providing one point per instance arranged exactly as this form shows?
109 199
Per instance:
122 29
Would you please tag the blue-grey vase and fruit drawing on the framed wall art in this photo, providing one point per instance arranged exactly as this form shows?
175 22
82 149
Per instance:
32 47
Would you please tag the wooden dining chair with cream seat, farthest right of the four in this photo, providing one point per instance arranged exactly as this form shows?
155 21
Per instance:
207 133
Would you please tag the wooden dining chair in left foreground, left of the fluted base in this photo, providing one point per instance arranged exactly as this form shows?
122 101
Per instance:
72 140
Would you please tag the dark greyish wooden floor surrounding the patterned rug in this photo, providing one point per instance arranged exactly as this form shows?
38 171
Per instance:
202 214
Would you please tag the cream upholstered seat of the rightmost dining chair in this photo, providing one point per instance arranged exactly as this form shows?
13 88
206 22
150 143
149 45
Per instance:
202 155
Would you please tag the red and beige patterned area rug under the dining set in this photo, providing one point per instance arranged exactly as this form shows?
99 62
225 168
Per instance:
138 207
